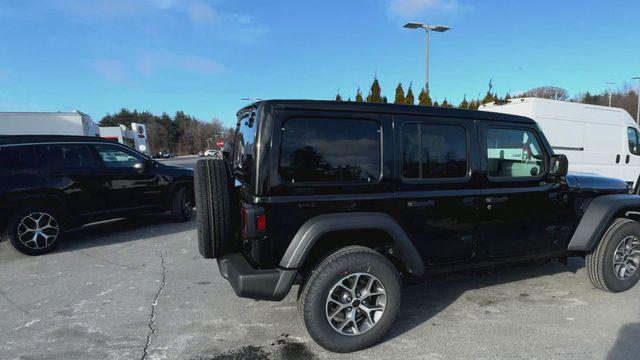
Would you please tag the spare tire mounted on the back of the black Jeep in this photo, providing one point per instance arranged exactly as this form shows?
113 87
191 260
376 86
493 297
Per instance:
213 191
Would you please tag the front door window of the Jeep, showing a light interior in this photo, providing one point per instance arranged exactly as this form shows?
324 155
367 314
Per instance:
513 153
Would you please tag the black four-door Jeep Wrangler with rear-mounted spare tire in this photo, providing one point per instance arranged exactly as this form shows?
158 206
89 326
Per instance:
344 198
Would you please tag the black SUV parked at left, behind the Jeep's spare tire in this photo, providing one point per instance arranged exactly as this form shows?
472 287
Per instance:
52 183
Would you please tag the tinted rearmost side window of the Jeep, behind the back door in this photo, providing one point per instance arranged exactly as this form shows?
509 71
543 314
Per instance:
330 150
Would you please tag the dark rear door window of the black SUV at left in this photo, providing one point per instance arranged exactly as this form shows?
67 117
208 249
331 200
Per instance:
65 156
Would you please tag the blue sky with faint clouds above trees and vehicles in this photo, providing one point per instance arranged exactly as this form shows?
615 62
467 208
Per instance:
204 56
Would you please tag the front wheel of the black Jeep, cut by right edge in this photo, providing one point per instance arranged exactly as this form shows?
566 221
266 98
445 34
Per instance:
613 265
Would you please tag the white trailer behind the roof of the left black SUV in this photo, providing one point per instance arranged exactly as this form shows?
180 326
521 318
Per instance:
47 123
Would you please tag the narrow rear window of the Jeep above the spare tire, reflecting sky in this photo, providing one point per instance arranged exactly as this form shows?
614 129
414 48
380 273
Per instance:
244 148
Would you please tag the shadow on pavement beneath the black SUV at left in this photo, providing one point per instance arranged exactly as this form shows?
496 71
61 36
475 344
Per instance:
122 231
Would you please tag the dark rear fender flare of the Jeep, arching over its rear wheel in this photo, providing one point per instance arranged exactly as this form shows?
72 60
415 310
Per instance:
314 228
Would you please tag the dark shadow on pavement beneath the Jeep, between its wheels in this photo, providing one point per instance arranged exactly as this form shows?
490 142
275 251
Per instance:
422 300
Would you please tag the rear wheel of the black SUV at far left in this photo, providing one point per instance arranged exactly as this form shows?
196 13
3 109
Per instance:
34 231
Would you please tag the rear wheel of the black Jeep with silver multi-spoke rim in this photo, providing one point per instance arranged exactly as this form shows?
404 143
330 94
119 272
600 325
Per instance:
350 300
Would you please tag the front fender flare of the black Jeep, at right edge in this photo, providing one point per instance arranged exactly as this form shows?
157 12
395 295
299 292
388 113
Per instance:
597 217
